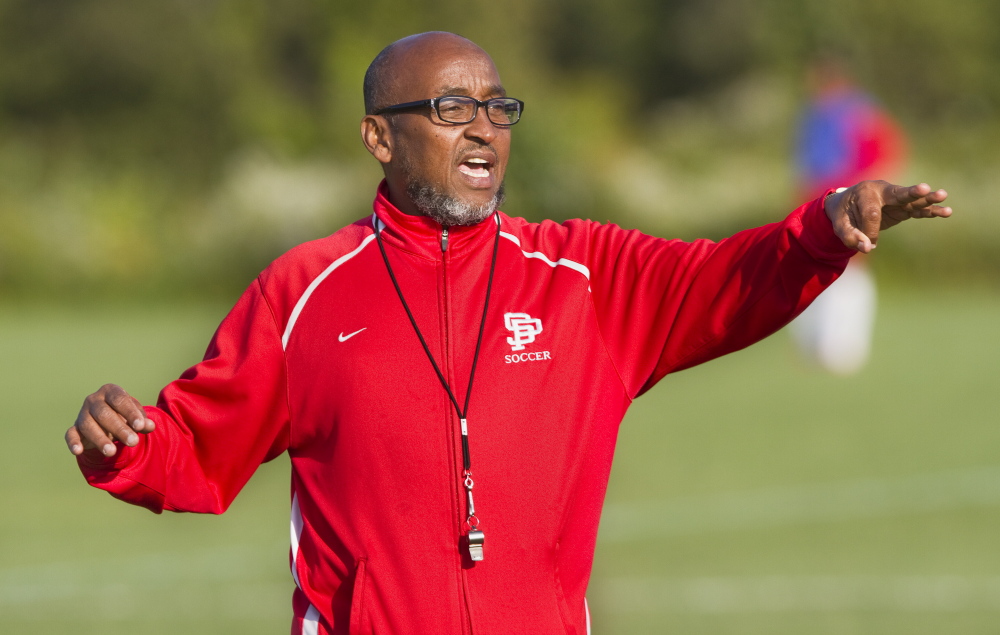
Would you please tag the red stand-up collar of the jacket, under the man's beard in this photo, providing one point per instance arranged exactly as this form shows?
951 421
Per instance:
422 236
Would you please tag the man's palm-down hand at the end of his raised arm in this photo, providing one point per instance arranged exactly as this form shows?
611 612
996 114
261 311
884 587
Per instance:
860 212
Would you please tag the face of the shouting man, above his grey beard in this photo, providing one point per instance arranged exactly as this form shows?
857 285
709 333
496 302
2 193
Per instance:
461 162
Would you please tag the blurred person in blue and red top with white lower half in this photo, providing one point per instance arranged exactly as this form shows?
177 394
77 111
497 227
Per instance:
844 136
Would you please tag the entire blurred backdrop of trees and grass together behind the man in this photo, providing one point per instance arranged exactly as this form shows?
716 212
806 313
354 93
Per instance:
154 156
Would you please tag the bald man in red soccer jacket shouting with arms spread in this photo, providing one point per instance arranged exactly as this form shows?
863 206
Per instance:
448 380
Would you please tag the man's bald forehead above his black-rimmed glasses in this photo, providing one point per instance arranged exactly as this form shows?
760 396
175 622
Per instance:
445 68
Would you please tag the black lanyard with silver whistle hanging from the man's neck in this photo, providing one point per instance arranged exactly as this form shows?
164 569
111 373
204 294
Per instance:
475 537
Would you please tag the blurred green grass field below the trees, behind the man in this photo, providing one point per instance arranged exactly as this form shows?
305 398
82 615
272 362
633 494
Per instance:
751 495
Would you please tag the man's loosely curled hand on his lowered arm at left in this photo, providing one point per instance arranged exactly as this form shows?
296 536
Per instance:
107 415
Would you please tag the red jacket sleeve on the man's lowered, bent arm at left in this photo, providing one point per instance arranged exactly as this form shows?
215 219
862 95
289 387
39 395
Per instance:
214 425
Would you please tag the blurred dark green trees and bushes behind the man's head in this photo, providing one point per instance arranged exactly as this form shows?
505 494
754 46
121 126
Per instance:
188 142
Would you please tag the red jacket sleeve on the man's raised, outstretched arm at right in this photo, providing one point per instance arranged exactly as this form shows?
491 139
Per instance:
666 305
